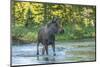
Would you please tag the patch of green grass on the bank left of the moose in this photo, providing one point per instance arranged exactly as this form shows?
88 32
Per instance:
24 34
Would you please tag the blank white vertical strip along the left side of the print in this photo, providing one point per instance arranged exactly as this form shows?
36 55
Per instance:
4 33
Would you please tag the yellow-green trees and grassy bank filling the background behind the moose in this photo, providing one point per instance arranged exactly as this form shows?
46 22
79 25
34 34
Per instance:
27 17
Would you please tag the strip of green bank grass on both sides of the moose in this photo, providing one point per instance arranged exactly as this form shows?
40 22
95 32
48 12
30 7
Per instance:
29 35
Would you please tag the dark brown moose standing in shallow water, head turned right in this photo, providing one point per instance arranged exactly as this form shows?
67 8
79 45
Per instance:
46 35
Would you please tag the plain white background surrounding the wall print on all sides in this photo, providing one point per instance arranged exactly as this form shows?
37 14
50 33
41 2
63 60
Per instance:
5 33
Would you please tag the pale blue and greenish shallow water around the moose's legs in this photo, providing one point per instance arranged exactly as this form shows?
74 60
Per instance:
65 52
